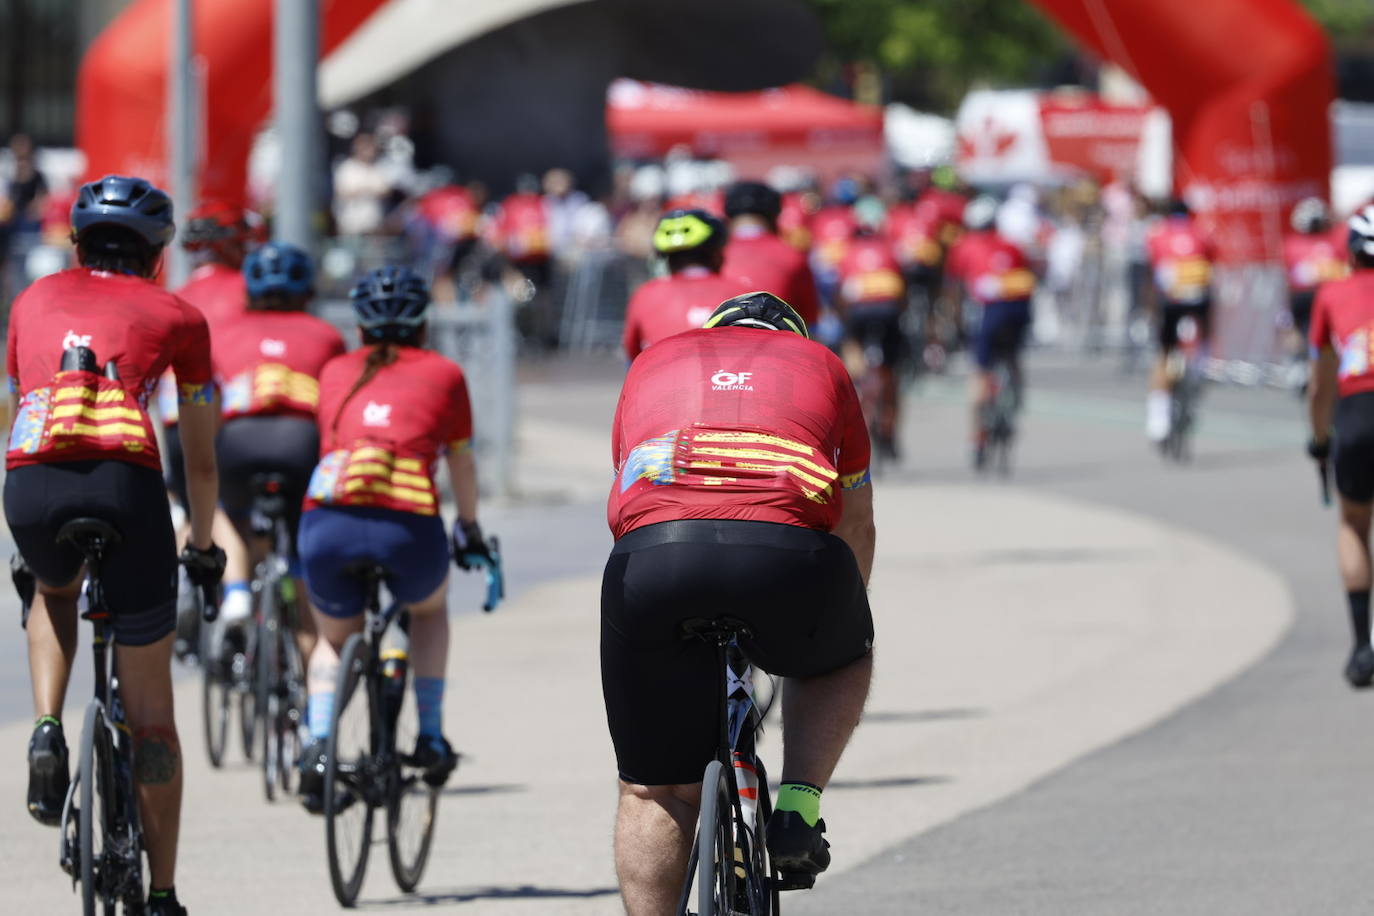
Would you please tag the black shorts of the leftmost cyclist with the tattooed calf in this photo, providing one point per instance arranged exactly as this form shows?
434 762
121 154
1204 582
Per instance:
139 573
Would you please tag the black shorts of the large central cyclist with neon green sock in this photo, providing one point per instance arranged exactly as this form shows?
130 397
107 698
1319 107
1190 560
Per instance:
799 591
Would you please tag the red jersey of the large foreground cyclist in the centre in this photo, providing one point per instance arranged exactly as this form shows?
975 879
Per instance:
737 424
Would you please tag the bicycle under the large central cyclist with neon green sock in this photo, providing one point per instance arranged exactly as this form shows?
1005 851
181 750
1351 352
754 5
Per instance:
729 866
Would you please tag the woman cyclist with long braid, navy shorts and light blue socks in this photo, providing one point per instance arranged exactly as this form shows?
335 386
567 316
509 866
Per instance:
387 413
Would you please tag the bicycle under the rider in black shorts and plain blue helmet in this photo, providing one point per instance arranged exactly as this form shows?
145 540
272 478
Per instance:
281 671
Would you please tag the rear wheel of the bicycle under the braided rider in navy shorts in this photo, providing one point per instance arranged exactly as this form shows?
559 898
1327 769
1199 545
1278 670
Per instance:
347 782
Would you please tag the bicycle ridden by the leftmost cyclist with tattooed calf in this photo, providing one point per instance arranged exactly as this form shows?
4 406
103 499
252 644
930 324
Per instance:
101 845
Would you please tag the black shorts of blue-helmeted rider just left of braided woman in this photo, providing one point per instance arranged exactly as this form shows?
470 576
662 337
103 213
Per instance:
248 446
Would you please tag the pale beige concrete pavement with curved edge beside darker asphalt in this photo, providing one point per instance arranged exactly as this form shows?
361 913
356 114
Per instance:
1016 634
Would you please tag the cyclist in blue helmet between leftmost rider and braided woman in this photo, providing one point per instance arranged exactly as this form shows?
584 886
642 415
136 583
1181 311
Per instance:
269 362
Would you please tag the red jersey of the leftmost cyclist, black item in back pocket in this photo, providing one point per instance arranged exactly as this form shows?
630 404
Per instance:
78 417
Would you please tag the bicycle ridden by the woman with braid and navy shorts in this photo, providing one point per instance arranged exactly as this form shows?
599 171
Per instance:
365 771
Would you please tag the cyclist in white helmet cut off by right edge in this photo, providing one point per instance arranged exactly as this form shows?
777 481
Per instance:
1343 391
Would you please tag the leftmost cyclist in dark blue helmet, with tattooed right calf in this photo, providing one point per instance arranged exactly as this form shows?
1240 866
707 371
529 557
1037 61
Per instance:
83 446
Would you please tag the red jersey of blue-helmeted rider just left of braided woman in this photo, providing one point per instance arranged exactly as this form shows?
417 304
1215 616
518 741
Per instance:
269 363
